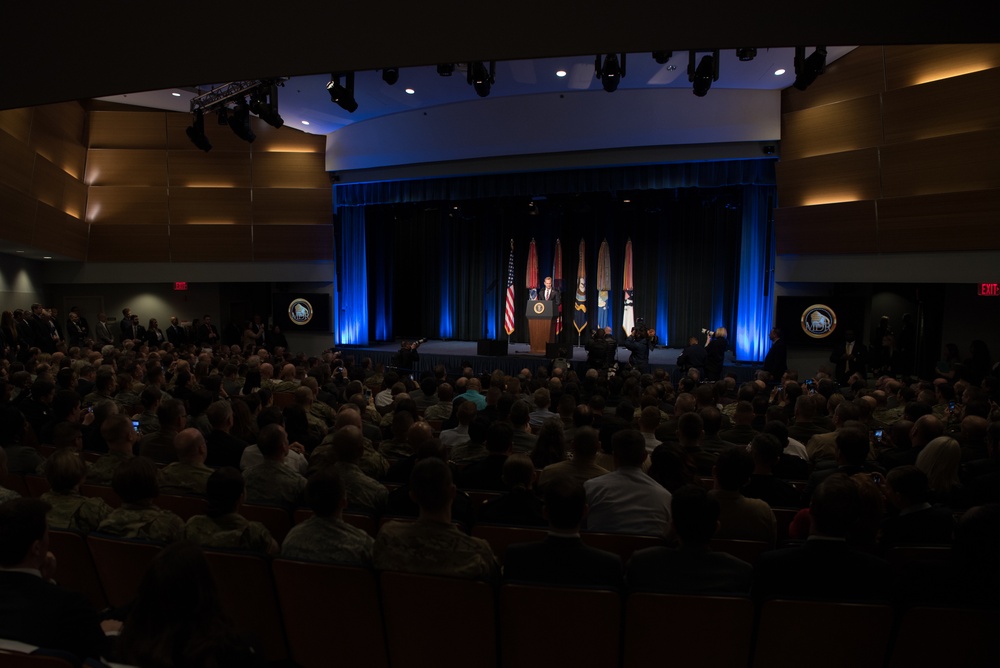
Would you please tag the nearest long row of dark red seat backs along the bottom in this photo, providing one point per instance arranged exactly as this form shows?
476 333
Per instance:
321 615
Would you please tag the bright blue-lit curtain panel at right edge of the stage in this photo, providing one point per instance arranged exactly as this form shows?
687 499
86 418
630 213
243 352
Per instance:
755 295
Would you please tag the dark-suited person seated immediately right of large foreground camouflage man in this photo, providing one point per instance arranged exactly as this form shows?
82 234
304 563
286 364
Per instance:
563 558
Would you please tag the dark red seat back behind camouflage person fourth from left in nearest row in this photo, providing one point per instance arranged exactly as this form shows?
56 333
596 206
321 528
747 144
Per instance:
331 614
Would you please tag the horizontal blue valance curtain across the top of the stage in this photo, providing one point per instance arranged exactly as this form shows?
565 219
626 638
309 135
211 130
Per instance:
605 179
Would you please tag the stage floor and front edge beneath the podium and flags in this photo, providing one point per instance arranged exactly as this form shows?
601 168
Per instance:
455 355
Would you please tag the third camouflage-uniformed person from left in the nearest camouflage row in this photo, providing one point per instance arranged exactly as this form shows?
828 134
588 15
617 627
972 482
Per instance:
223 526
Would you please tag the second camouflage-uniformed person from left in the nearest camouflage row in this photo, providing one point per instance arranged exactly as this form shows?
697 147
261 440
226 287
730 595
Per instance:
135 483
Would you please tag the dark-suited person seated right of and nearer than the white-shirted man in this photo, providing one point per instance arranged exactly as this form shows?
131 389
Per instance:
693 567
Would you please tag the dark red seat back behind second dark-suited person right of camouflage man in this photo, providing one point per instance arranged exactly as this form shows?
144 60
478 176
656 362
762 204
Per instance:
704 631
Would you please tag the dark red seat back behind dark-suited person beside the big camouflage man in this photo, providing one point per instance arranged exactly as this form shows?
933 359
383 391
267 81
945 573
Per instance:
542 627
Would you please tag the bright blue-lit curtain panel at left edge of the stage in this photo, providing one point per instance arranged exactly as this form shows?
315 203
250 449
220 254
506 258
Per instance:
351 301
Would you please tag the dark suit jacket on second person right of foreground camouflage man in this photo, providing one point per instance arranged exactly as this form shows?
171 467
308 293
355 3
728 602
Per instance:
689 570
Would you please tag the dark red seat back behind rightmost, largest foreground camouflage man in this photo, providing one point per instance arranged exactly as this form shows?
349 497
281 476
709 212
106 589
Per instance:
437 621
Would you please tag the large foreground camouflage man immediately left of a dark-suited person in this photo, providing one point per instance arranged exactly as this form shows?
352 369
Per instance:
433 545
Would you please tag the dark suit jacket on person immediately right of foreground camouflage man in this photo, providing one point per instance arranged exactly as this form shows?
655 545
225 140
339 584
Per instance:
562 560
